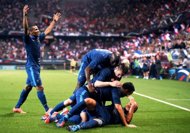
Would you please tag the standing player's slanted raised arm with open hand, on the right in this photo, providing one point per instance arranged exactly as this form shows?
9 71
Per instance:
56 17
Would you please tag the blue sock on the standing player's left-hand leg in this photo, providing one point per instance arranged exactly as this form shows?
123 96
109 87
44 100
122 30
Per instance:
23 96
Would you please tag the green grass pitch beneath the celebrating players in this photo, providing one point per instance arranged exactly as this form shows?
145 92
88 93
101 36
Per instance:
151 116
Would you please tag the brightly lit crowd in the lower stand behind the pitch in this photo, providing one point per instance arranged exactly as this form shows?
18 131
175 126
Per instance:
139 55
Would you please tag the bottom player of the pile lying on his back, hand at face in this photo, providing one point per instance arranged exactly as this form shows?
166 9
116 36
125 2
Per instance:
103 115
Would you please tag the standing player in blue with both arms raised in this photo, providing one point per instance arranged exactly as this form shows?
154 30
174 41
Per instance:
32 40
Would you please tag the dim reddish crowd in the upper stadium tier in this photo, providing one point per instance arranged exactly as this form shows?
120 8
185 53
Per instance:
92 16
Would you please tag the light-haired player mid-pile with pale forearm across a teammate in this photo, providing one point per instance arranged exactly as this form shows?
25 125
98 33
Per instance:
103 78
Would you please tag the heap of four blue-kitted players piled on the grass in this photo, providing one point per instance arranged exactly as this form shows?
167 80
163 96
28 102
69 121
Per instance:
88 100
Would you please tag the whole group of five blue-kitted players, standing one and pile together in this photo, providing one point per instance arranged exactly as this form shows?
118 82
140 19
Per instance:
88 100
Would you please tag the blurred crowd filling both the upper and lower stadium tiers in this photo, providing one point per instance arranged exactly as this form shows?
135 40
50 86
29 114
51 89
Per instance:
148 56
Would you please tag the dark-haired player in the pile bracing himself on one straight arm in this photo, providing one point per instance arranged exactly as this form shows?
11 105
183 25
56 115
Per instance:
106 94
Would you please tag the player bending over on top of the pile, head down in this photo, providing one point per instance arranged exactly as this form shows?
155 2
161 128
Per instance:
94 61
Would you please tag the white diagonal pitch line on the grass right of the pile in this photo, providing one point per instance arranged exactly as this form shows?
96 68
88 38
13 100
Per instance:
161 101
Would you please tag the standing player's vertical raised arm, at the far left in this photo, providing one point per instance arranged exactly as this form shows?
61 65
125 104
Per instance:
25 20
